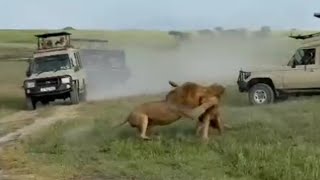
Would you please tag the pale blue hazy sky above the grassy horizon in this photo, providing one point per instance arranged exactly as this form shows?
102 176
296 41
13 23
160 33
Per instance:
158 14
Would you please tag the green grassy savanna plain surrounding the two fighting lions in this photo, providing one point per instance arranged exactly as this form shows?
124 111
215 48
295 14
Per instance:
278 141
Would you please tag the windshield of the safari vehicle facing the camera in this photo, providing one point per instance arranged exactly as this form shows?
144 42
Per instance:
51 63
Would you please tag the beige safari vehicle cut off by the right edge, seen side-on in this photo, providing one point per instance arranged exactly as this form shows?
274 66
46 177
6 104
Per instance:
301 75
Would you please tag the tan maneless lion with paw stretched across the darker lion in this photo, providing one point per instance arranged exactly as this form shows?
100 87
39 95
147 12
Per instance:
159 113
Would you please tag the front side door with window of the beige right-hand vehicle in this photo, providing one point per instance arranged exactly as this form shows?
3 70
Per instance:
304 75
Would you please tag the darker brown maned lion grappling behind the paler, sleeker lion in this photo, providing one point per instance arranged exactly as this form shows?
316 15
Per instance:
190 94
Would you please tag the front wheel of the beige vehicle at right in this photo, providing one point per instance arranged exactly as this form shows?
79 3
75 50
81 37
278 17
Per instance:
266 94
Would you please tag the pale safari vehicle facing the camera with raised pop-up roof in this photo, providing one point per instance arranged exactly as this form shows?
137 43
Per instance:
55 71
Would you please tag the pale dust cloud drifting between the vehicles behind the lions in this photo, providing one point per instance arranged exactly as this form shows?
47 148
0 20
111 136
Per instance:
199 60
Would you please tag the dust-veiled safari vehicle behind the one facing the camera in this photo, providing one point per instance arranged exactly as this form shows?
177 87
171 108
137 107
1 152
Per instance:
104 66
